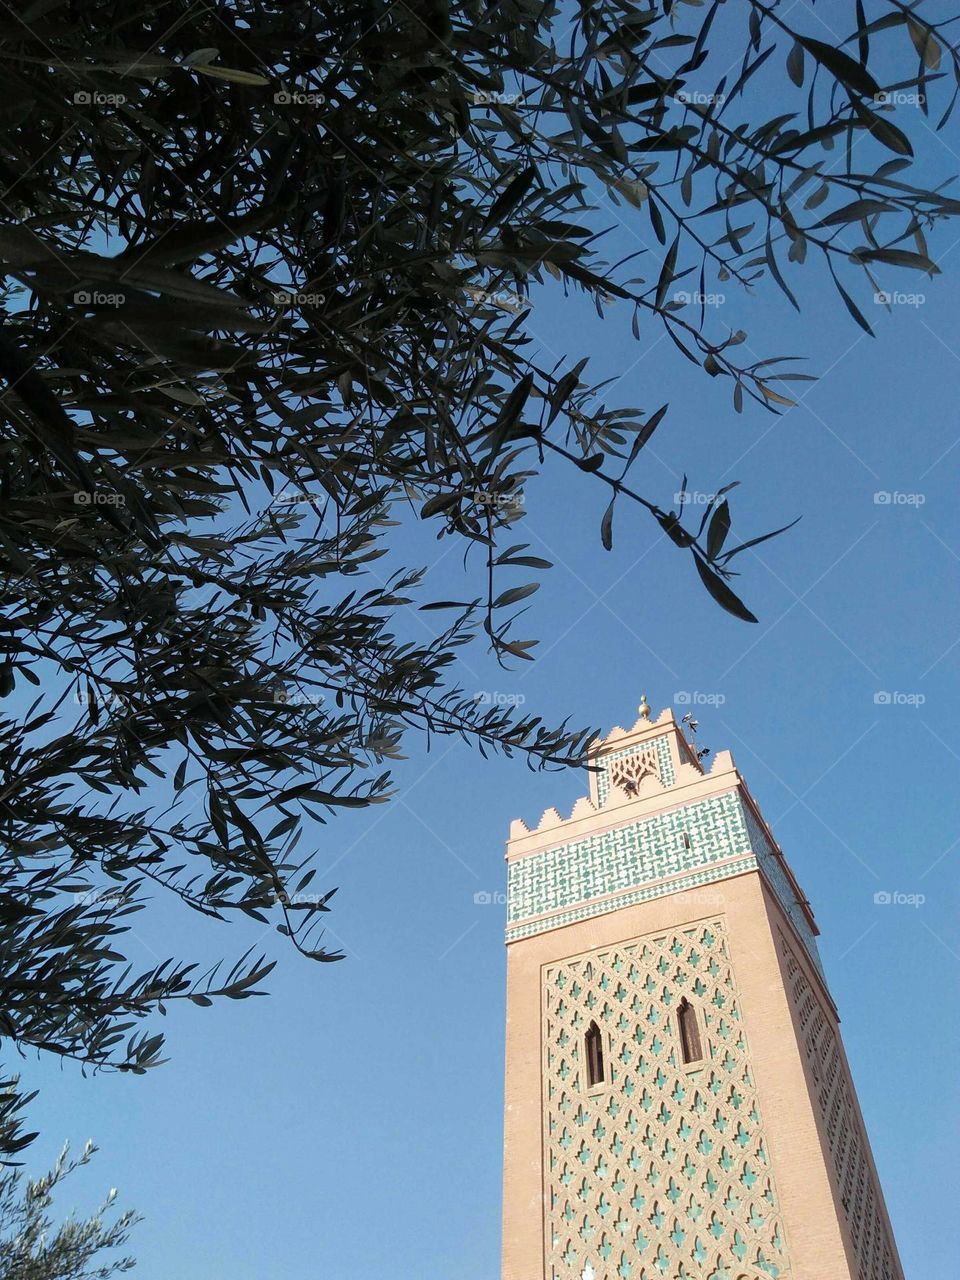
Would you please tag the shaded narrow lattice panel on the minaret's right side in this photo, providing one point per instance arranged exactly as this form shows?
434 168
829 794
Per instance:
845 1136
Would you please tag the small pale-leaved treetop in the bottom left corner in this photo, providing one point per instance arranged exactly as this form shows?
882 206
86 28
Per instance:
34 1249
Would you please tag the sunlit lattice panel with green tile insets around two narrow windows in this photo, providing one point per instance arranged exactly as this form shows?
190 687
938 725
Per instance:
664 1173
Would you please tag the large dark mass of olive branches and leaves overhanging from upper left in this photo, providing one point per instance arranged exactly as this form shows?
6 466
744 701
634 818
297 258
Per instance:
269 273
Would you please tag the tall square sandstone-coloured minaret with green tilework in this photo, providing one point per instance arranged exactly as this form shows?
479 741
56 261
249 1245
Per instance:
678 1100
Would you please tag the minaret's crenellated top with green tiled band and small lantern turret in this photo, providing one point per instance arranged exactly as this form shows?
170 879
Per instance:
655 822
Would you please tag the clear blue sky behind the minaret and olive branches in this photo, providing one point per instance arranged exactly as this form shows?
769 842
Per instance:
351 1124
